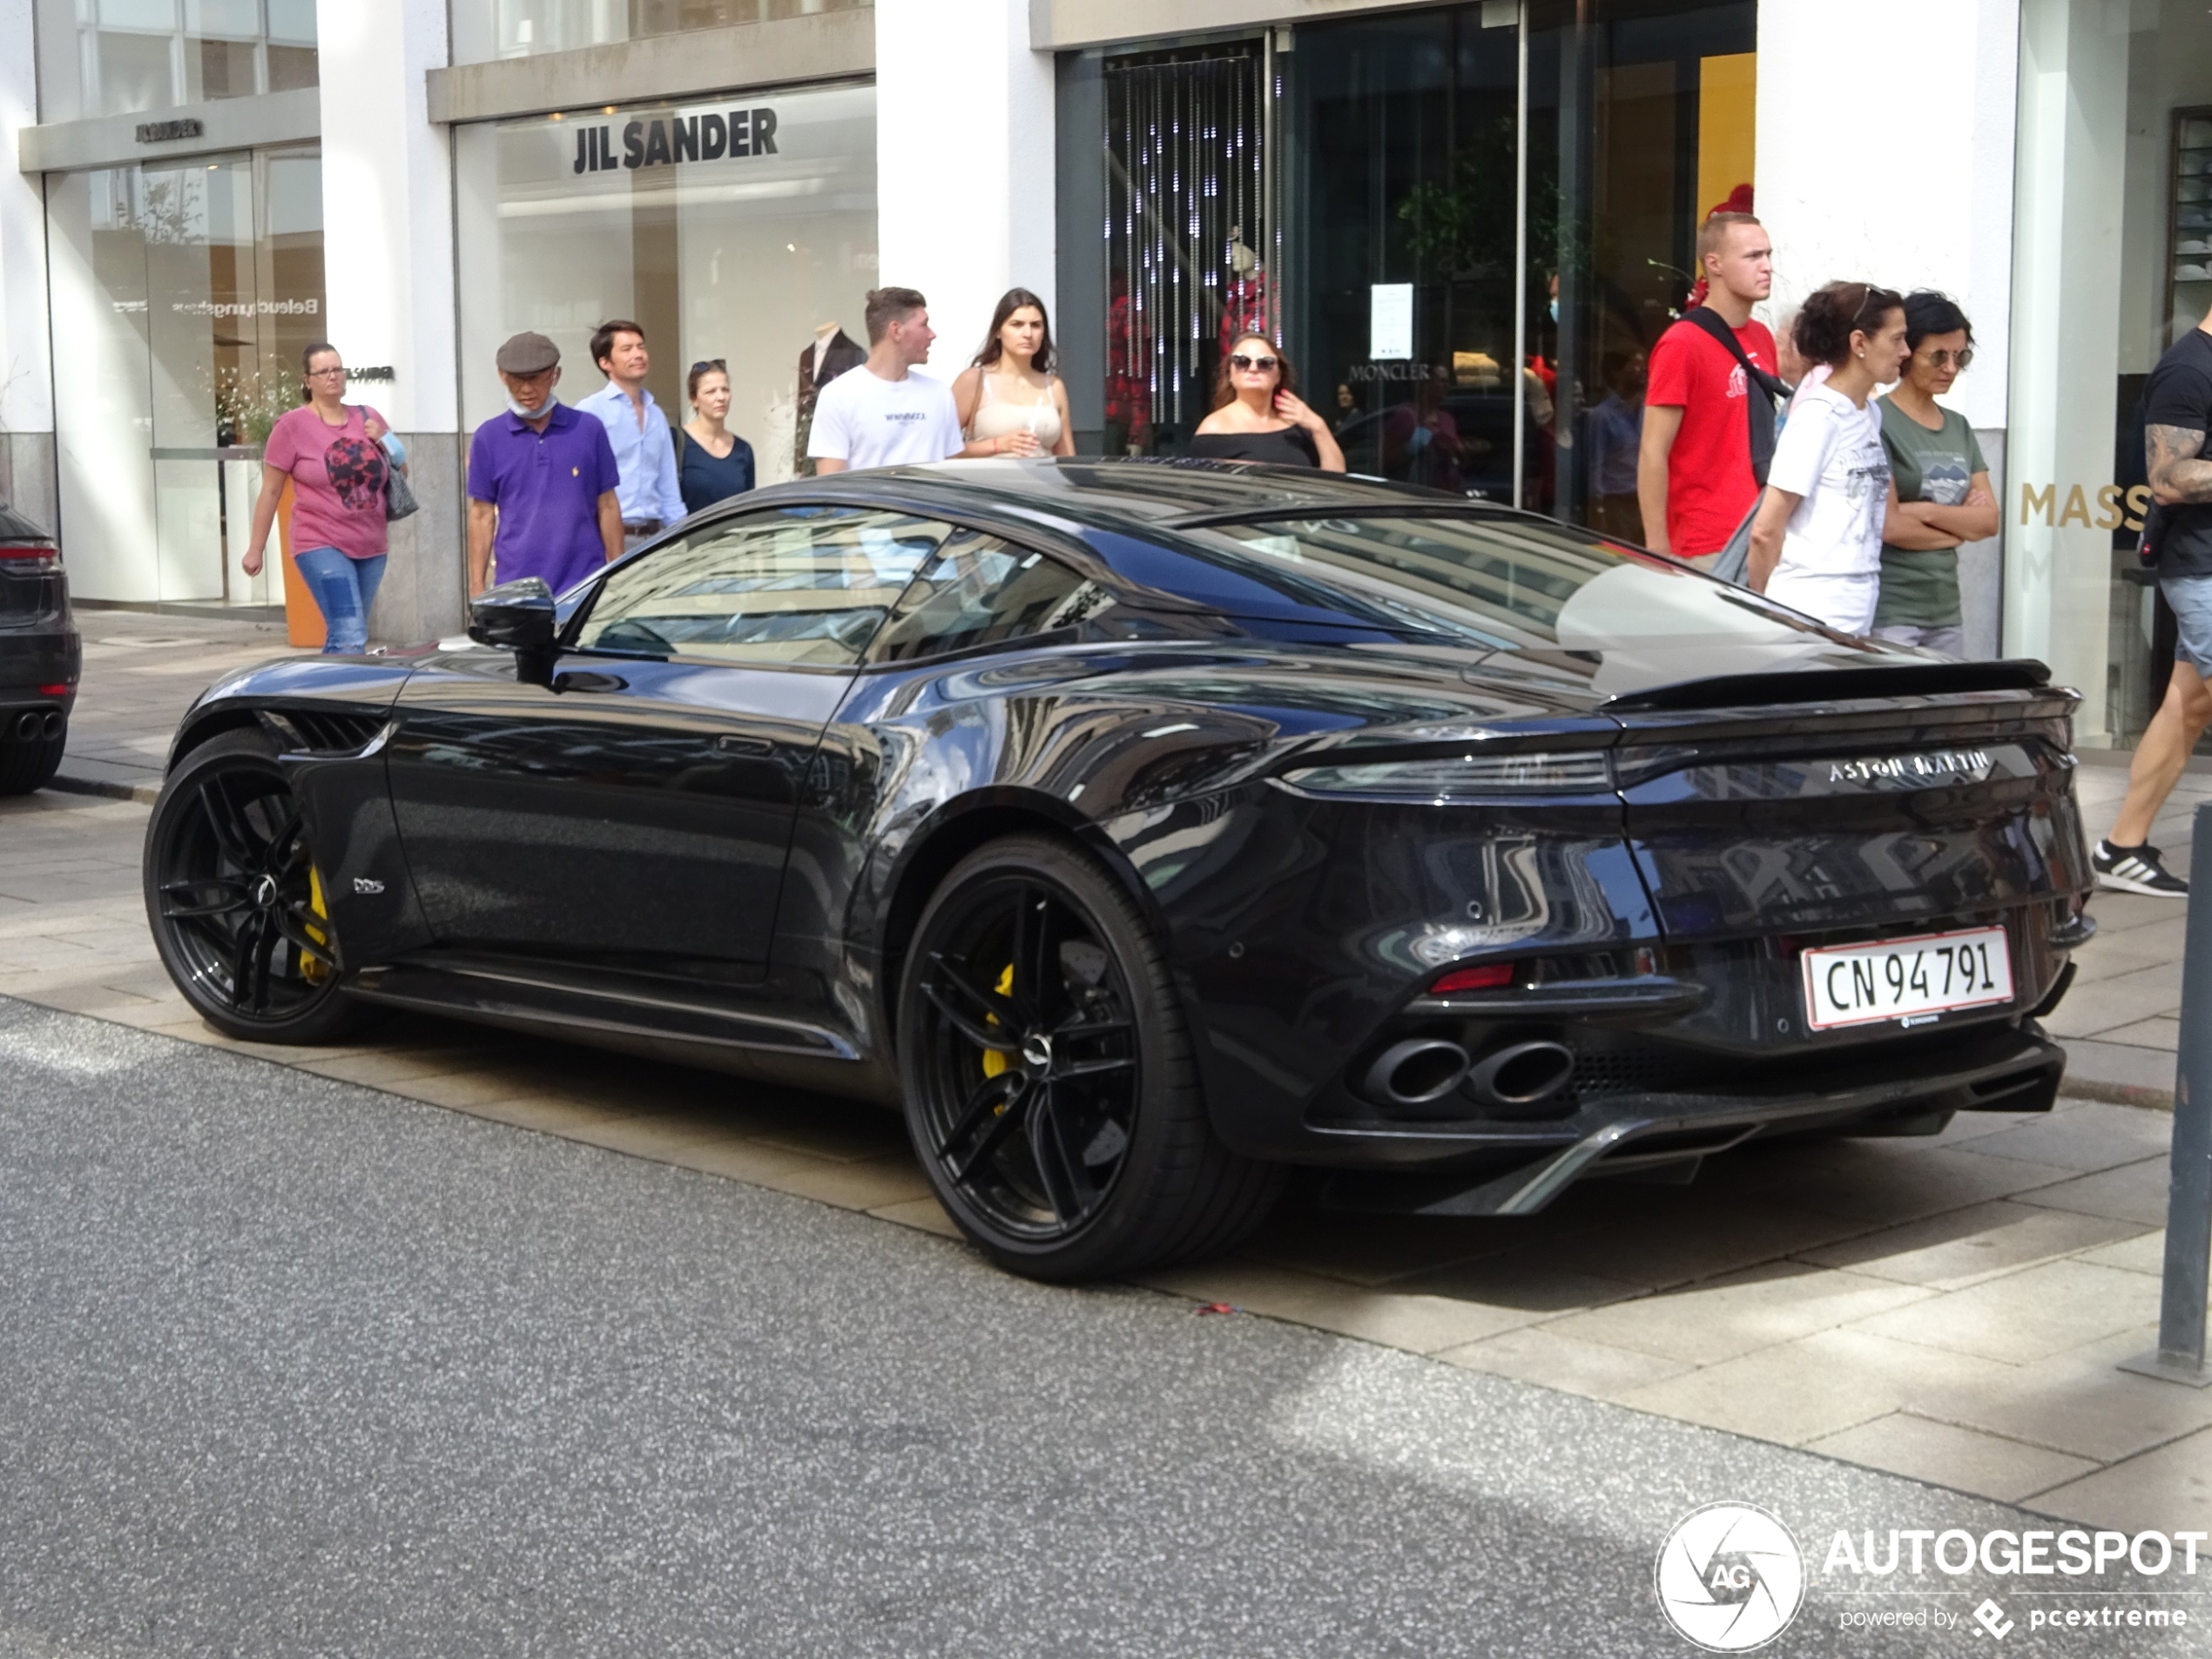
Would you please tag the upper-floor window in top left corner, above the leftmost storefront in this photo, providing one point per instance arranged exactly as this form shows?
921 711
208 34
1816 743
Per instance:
127 56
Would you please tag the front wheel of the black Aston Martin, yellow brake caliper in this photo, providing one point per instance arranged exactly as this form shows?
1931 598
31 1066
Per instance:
236 901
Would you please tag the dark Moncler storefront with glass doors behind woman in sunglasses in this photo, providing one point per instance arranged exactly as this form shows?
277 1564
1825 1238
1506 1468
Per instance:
1468 222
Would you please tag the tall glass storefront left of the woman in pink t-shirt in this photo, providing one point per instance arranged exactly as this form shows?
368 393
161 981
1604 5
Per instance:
185 298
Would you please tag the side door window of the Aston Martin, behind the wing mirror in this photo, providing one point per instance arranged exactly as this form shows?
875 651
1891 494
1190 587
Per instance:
800 585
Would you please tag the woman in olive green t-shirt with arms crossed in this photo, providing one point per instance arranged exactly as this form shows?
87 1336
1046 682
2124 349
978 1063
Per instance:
1939 483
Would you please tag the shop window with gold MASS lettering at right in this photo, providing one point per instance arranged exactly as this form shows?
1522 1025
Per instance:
2111 264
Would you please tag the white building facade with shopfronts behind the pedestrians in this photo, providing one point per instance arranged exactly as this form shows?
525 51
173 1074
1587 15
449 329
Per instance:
1468 222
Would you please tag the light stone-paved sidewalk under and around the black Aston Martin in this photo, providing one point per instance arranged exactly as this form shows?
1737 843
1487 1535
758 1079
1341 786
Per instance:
1943 1308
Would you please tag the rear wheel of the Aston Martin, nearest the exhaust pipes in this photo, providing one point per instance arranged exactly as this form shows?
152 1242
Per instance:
1050 1076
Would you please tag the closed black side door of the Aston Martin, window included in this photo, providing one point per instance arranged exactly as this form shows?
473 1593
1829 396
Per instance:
638 811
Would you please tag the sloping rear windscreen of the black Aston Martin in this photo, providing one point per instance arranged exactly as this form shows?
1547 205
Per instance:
1521 585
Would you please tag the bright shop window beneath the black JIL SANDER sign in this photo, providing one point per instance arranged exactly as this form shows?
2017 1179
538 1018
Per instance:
738 229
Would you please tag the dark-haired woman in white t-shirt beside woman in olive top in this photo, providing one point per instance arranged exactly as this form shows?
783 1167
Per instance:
1817 539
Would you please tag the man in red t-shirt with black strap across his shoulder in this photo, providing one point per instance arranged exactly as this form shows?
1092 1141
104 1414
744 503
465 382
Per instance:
1695 463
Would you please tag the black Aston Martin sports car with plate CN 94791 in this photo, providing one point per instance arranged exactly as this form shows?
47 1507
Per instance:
1149 828
